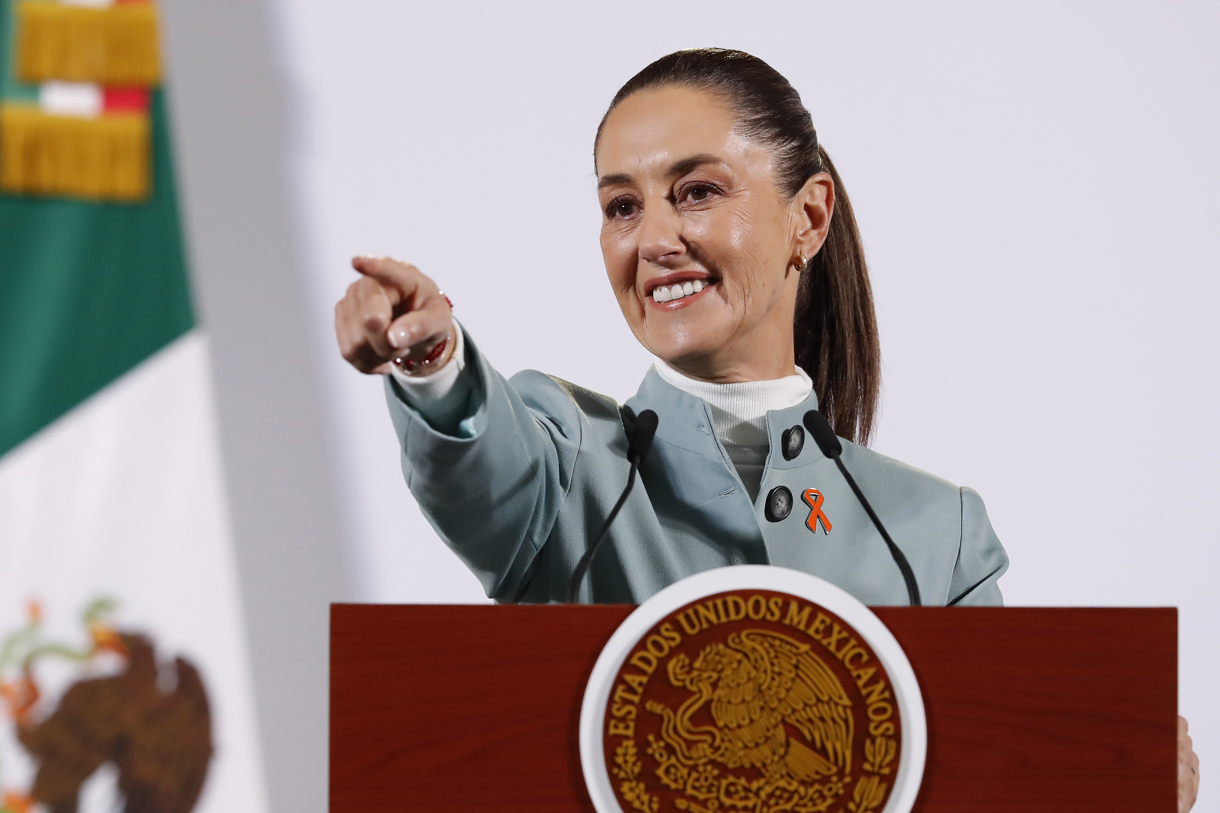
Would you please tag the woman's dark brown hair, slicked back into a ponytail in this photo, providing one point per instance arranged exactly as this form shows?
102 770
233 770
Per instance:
835 325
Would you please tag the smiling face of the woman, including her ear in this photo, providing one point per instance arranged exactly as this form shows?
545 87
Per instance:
698 241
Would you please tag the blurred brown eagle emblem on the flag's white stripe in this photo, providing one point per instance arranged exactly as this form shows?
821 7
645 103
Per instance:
115 709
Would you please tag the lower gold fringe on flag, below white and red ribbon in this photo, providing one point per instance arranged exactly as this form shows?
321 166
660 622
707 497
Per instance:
97 159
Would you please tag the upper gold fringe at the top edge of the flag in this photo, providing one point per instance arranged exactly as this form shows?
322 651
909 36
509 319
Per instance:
115 46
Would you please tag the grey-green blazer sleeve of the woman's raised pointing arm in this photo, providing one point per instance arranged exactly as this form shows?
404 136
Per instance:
493 488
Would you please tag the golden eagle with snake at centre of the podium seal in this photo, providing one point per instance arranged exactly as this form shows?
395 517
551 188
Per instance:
761 689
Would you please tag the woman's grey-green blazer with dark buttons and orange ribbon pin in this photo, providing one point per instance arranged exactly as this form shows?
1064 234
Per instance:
524 484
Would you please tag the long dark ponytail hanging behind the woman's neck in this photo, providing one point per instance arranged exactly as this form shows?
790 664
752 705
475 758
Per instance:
835 329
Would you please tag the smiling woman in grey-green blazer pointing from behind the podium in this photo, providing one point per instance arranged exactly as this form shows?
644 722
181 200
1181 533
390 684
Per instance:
733 251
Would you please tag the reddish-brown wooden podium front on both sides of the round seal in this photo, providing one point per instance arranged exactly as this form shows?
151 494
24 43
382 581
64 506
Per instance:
445 709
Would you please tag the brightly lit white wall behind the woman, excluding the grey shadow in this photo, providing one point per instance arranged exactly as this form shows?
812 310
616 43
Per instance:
1039 186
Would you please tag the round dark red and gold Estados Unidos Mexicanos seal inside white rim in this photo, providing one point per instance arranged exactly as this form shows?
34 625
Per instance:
752 704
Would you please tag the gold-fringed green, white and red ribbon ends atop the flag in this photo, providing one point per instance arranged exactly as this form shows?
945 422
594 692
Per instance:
75 115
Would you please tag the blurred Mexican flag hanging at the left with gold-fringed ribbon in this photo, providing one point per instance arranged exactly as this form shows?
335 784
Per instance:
124 672
